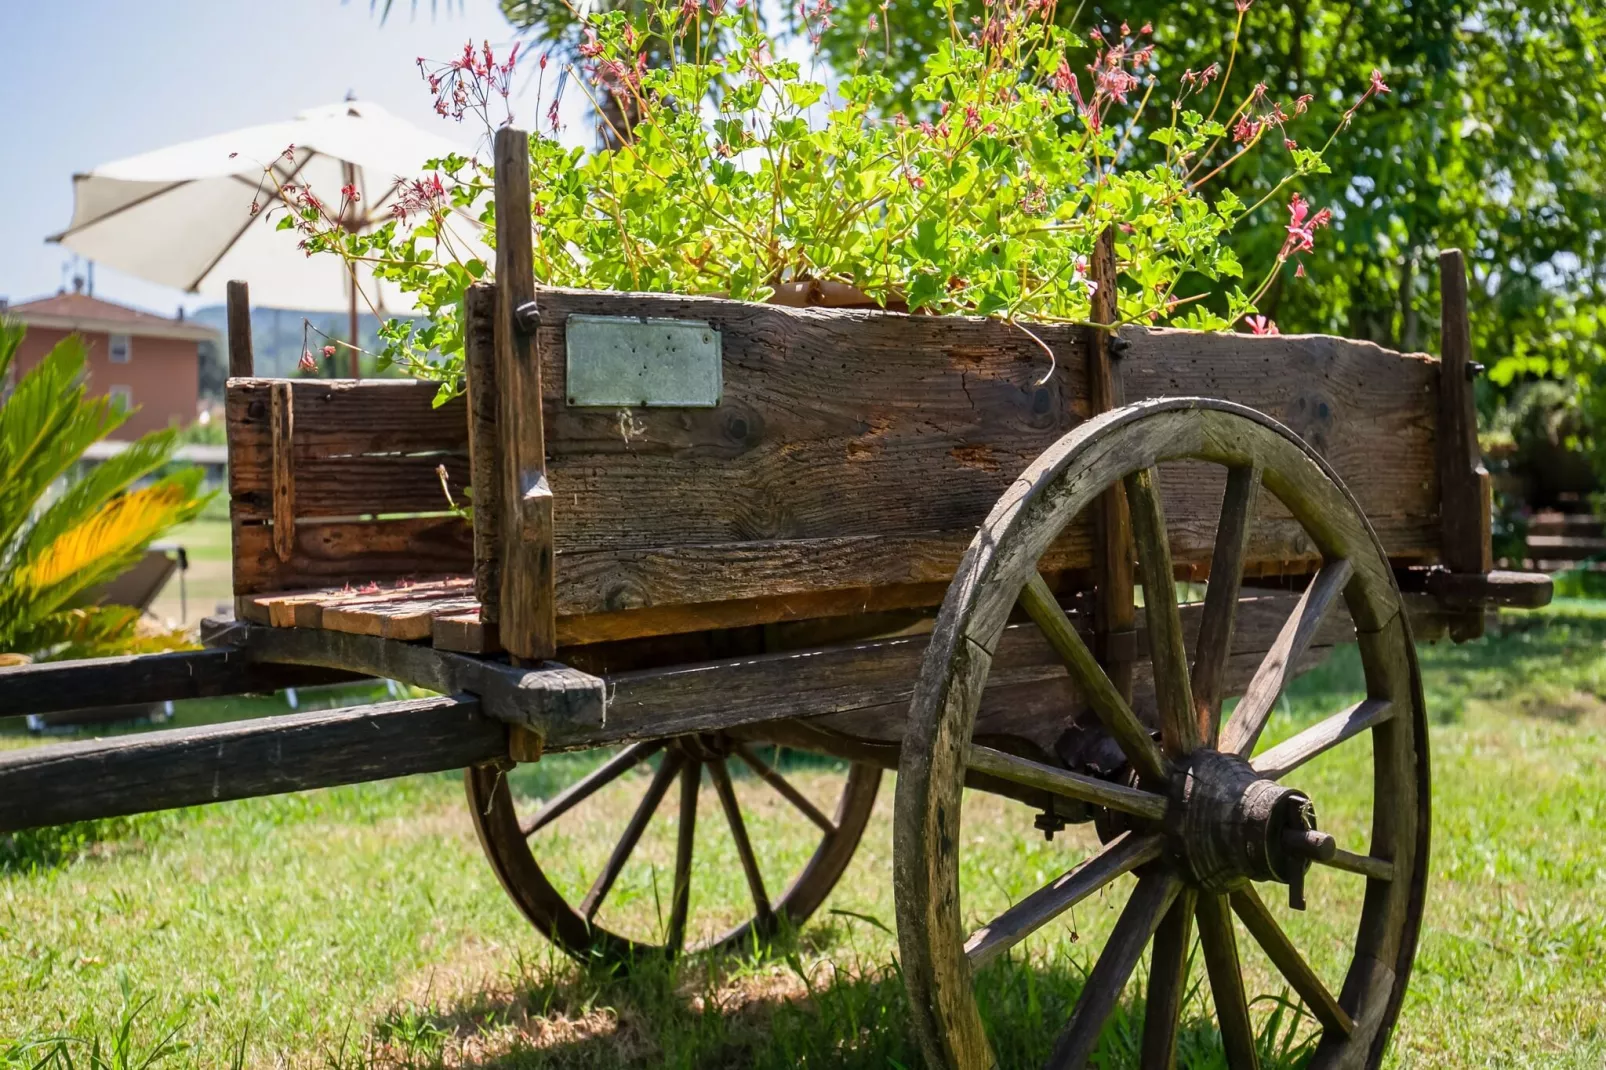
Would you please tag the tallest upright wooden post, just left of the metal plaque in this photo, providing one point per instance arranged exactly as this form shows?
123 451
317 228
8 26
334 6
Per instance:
528 606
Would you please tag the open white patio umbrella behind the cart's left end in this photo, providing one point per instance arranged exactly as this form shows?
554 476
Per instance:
182 216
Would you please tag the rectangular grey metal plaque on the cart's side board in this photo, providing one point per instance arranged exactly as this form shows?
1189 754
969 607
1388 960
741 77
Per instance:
626 362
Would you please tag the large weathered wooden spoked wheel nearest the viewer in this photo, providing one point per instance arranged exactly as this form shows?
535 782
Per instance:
1196 819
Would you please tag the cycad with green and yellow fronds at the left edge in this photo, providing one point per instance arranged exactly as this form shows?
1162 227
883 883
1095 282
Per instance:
55 552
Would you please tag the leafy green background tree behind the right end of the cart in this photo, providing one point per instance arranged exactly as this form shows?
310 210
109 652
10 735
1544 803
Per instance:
1490 141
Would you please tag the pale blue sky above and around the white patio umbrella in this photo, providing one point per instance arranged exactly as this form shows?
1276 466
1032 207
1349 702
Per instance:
92 81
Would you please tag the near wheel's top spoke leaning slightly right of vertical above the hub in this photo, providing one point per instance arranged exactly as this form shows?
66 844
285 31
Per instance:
1221 598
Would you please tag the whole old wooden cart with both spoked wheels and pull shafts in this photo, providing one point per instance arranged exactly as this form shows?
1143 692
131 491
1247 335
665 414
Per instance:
907 542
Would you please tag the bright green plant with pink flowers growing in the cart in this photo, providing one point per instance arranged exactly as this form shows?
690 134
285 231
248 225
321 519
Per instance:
736 174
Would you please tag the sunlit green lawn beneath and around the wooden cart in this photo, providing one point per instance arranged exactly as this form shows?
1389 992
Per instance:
362 928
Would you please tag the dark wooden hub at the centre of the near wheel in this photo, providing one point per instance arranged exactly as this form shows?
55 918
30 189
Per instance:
1231 827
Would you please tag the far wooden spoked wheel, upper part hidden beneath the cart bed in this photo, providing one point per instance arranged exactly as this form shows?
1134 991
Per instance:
508 844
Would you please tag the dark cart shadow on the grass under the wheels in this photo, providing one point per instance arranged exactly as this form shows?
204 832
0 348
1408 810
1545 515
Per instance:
778 1015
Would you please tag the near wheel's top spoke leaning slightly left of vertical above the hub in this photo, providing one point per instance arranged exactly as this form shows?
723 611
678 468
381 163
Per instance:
1180 729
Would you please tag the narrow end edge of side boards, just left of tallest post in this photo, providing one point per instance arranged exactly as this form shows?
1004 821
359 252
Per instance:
486 472
